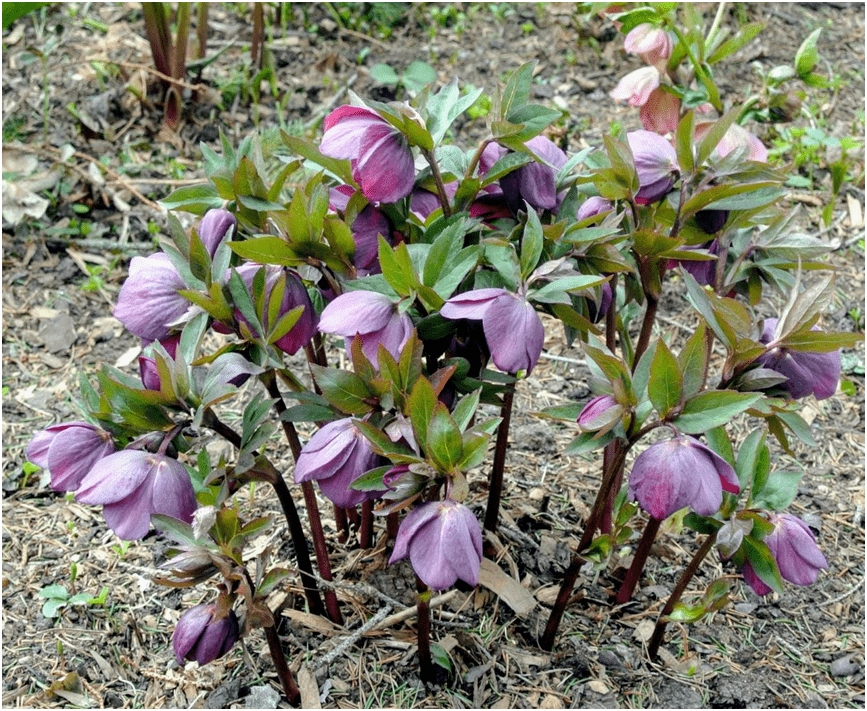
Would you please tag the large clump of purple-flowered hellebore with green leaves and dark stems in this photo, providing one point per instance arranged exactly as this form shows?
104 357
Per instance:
430 271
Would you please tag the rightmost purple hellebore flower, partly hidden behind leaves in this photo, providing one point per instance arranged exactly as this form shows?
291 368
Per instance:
816 373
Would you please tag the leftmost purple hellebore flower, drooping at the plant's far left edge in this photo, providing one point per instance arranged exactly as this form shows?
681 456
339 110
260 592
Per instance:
69 451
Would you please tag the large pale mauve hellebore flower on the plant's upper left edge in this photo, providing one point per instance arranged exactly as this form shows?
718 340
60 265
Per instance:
149 303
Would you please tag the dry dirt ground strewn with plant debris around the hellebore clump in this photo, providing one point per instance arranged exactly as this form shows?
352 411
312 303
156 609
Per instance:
61 274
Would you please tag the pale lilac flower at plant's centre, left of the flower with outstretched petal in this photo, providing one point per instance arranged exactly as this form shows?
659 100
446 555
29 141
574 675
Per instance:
371 315
